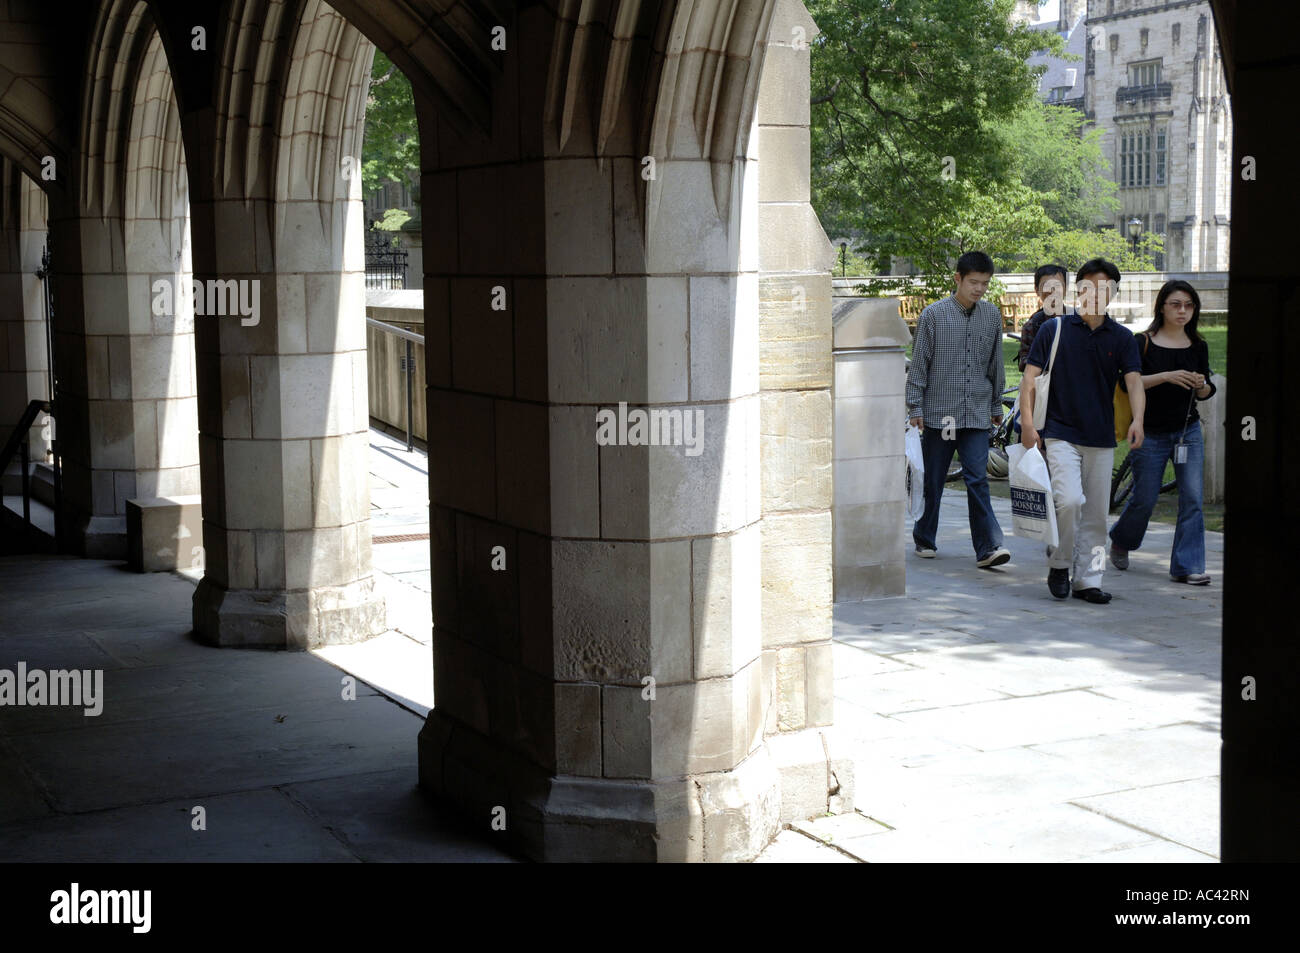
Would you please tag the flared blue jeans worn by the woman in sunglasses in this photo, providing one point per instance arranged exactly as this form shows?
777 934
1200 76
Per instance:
1150 460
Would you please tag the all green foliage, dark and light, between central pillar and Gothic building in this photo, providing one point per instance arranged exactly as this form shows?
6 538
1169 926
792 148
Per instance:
929 140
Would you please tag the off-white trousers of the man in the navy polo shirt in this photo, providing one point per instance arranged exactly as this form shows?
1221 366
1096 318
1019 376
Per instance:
1081 490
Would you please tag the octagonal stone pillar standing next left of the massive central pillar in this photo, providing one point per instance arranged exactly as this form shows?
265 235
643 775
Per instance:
283 372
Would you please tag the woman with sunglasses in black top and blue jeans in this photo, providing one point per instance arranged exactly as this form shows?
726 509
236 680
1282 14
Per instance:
1176 376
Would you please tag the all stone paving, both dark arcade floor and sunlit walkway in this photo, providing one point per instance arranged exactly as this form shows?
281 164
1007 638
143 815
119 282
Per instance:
987 721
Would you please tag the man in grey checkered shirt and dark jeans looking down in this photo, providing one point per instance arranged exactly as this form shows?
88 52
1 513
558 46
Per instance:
955 389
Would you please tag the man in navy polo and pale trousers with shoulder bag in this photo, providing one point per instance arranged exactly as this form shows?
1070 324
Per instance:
1078 437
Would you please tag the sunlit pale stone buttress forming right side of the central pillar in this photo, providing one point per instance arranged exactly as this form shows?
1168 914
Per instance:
796 423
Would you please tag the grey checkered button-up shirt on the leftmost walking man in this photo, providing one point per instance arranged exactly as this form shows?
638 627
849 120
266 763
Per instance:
957 366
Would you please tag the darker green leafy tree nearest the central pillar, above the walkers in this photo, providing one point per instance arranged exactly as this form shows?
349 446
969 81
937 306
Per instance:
907 103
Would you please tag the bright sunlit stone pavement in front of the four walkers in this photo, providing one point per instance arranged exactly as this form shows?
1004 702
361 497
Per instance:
955 748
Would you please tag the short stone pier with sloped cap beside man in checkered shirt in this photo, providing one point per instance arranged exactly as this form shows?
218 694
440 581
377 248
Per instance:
870 493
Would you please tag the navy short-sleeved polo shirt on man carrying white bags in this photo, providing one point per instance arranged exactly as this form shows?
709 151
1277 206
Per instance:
1089 365
